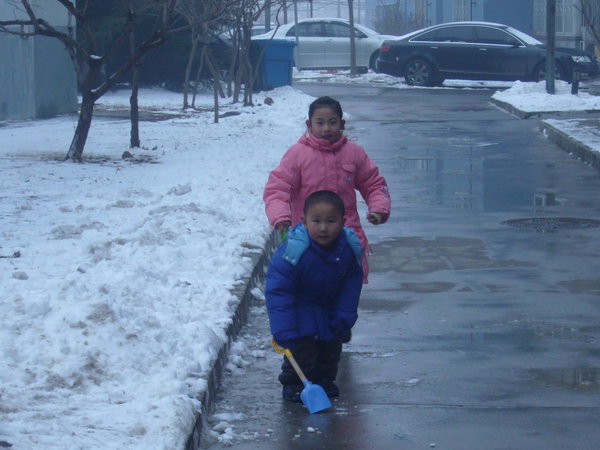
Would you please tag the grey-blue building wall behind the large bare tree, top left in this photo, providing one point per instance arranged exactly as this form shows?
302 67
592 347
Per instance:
37 78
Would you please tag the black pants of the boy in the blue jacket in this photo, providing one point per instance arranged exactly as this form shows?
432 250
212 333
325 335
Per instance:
317 359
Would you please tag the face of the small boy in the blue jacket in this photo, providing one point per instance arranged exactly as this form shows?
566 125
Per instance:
324 223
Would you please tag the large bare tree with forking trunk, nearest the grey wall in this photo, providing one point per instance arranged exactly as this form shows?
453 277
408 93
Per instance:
90 55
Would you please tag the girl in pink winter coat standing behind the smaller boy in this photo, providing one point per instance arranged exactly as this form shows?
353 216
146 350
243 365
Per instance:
324 159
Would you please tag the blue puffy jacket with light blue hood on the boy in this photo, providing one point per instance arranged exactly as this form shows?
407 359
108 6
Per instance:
311 292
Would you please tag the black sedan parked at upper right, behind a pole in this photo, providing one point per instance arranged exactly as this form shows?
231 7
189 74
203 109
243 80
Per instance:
477 51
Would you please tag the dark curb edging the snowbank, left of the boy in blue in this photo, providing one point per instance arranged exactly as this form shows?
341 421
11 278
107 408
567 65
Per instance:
260 262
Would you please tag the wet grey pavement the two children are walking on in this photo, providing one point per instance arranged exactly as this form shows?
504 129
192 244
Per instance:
472 333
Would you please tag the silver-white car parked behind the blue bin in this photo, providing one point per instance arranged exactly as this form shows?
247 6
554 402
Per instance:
325 43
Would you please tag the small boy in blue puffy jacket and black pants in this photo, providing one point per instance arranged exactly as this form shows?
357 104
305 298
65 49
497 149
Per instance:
312 289
